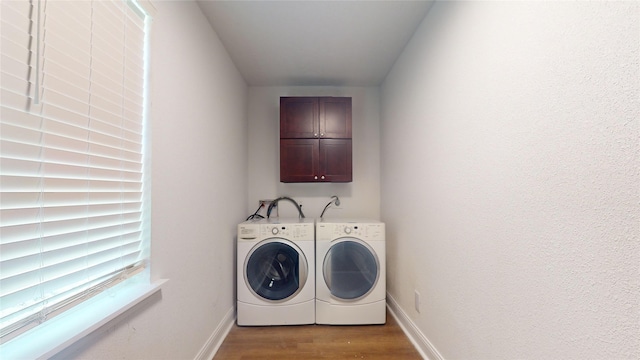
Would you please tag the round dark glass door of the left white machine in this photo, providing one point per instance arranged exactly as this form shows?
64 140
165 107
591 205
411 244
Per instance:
275 270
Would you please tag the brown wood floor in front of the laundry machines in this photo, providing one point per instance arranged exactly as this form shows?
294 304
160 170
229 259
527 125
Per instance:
318 342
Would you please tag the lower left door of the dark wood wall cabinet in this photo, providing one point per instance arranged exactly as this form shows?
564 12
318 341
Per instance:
299 160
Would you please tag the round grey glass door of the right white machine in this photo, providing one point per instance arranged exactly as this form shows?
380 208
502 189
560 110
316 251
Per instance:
350 269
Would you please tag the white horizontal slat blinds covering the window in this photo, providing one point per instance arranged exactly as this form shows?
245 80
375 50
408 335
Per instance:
71 165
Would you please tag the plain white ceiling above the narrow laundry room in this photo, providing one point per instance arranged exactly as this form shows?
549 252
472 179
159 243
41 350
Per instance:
314 43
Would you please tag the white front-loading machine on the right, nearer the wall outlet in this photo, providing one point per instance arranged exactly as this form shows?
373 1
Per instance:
350 272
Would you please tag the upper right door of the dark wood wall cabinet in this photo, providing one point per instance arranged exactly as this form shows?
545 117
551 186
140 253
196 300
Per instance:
335 117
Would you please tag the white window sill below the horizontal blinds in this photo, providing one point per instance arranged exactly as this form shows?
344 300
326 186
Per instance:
53 336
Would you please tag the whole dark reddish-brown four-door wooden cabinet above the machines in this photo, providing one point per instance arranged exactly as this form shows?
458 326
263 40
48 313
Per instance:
315 139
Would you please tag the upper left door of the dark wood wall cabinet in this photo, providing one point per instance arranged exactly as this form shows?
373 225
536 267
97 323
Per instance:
299 117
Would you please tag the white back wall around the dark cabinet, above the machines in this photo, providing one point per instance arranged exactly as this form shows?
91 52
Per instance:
360 198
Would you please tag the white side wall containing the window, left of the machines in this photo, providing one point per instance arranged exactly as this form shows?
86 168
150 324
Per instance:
198 120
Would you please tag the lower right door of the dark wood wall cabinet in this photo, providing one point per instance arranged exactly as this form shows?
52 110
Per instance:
335 160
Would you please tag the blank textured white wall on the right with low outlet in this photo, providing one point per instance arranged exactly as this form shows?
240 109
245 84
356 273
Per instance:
511 179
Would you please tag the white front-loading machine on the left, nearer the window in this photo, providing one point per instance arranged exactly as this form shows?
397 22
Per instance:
276 272
